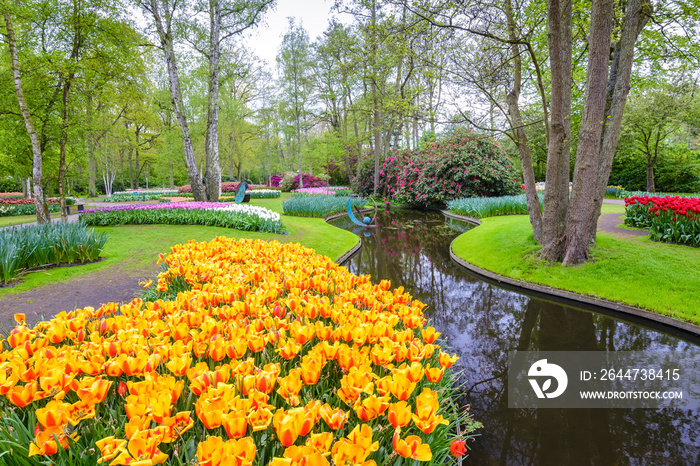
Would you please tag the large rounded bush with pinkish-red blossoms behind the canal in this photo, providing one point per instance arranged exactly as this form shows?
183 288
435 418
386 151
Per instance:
459 164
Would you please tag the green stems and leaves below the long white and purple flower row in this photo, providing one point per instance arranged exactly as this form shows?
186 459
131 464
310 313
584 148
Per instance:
208 217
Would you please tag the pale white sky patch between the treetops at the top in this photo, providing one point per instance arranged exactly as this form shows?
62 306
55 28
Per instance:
314 15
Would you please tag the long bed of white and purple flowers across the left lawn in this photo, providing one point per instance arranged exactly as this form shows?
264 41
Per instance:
253 218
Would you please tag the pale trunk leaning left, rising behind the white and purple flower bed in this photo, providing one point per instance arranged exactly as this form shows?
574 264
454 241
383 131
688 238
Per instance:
166 40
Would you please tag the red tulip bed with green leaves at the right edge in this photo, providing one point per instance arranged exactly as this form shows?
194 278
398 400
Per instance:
670 219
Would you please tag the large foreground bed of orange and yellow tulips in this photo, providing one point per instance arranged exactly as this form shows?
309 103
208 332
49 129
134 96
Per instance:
271 354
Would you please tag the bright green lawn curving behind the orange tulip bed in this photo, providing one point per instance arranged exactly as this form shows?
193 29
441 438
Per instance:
136 247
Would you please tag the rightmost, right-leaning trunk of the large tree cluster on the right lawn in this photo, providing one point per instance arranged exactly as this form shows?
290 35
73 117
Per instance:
637 14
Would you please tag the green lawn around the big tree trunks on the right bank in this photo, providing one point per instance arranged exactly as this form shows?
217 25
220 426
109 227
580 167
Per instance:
632 270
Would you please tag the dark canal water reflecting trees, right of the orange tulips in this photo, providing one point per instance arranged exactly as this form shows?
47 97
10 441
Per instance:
482 323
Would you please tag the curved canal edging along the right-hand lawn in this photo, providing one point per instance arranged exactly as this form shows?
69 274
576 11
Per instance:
543 290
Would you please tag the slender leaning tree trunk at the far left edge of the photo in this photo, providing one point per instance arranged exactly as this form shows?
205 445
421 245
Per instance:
41 207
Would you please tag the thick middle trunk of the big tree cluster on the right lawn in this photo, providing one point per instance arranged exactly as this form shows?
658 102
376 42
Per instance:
576 234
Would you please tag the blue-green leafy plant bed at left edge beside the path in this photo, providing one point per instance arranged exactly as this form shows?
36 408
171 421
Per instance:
23 248
